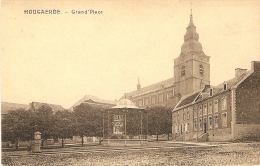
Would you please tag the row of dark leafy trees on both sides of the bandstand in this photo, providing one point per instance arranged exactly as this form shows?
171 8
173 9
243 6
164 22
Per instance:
85 120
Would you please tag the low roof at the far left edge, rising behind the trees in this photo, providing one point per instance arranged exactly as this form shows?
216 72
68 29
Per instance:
6 107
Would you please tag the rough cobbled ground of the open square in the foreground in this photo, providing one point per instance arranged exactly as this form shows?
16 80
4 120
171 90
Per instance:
223 154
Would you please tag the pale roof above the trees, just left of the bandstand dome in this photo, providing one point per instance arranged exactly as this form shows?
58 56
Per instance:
94 101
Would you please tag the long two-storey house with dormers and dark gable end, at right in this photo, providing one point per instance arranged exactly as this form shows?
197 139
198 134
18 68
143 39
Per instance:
229 111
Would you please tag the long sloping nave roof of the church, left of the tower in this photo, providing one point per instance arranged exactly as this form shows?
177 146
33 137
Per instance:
150 88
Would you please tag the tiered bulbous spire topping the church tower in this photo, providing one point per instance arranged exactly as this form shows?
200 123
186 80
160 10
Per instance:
191 39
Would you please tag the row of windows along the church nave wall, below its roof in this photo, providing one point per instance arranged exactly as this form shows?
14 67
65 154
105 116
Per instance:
154 99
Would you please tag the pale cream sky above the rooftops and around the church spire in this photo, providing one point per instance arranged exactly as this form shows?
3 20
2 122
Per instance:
60 58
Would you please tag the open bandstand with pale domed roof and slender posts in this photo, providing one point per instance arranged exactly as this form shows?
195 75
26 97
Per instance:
125 125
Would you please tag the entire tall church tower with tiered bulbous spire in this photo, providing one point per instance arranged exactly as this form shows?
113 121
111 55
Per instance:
191 68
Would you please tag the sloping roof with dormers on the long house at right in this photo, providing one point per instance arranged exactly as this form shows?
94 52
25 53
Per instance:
200 96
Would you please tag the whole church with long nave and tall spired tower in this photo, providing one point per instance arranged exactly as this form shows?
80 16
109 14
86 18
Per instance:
191 73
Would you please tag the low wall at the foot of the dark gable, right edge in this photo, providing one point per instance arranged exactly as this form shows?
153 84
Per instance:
247 132
